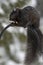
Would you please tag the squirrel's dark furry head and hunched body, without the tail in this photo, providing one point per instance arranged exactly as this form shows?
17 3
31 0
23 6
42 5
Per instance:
26 16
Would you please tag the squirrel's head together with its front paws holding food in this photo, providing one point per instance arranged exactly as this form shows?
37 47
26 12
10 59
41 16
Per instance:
14 16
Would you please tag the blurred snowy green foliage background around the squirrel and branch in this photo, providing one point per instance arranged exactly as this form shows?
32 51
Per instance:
13 42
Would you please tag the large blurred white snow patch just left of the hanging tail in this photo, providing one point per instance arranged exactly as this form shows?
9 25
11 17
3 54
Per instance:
15 50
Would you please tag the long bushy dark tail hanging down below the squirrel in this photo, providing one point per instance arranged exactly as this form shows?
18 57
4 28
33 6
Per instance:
33 41
